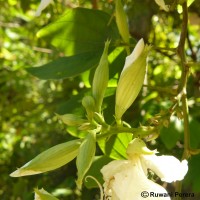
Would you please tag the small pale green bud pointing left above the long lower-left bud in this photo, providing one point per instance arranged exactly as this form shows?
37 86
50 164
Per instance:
71 119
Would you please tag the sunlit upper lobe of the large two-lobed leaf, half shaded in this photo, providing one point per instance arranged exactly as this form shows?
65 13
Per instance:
80 30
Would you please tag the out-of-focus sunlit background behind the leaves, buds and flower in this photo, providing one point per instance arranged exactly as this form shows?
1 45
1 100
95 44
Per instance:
28 124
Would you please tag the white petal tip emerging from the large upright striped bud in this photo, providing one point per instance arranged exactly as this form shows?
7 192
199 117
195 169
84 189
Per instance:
135 54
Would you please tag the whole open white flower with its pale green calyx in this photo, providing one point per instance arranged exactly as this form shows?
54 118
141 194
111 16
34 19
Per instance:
127 179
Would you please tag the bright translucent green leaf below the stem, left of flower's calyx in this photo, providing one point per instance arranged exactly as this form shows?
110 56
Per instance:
116 146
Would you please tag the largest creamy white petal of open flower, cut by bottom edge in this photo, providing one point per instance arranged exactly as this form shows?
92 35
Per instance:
127 181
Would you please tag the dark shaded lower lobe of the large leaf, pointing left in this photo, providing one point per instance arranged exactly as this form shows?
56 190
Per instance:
66 67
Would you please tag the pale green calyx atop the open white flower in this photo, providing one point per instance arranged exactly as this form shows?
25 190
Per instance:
137 146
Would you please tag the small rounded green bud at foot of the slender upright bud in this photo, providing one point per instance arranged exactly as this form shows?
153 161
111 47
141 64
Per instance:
88 103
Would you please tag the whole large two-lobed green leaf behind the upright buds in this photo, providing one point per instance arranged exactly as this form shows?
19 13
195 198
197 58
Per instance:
81 38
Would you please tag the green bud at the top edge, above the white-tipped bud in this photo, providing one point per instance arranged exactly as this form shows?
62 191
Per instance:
122 22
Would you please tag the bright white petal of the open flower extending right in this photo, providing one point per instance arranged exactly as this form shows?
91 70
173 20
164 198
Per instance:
168 168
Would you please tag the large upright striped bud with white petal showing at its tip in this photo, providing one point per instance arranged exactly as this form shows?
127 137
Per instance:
131 79
